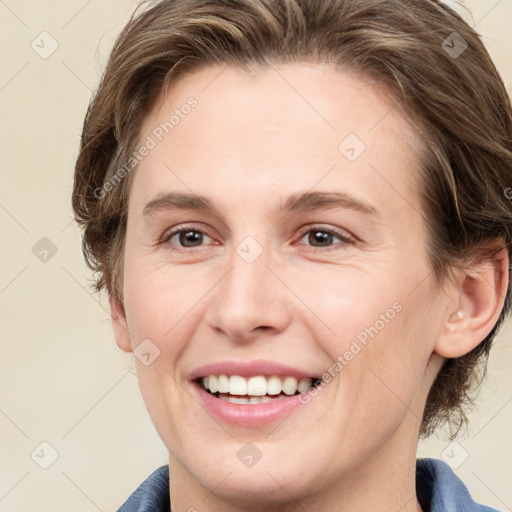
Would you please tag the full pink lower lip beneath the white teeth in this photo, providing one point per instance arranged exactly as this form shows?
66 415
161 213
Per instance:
247 415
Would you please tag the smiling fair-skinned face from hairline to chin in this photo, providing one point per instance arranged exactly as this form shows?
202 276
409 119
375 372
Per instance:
275 231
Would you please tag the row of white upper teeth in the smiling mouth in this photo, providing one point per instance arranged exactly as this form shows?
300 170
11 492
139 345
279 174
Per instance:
256 386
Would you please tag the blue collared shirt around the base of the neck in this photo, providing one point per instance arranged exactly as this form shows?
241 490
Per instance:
438 489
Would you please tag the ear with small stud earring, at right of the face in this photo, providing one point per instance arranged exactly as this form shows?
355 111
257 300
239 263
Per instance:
478 296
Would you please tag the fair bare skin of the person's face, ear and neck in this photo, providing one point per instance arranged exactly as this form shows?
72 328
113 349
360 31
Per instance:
252 141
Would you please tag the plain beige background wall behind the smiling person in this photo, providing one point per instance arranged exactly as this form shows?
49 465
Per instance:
63 380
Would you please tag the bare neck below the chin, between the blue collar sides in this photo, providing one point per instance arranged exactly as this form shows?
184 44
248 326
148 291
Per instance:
384 482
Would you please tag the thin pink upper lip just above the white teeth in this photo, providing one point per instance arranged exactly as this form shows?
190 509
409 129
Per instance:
249 369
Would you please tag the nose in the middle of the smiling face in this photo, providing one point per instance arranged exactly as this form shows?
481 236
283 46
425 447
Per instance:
249 300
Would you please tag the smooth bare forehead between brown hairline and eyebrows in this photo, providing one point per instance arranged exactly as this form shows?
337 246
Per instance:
276 126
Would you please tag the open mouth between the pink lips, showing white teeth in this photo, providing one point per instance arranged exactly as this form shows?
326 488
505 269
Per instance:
257 389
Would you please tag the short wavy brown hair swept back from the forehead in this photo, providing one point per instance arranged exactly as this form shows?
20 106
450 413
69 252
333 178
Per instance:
416 49
